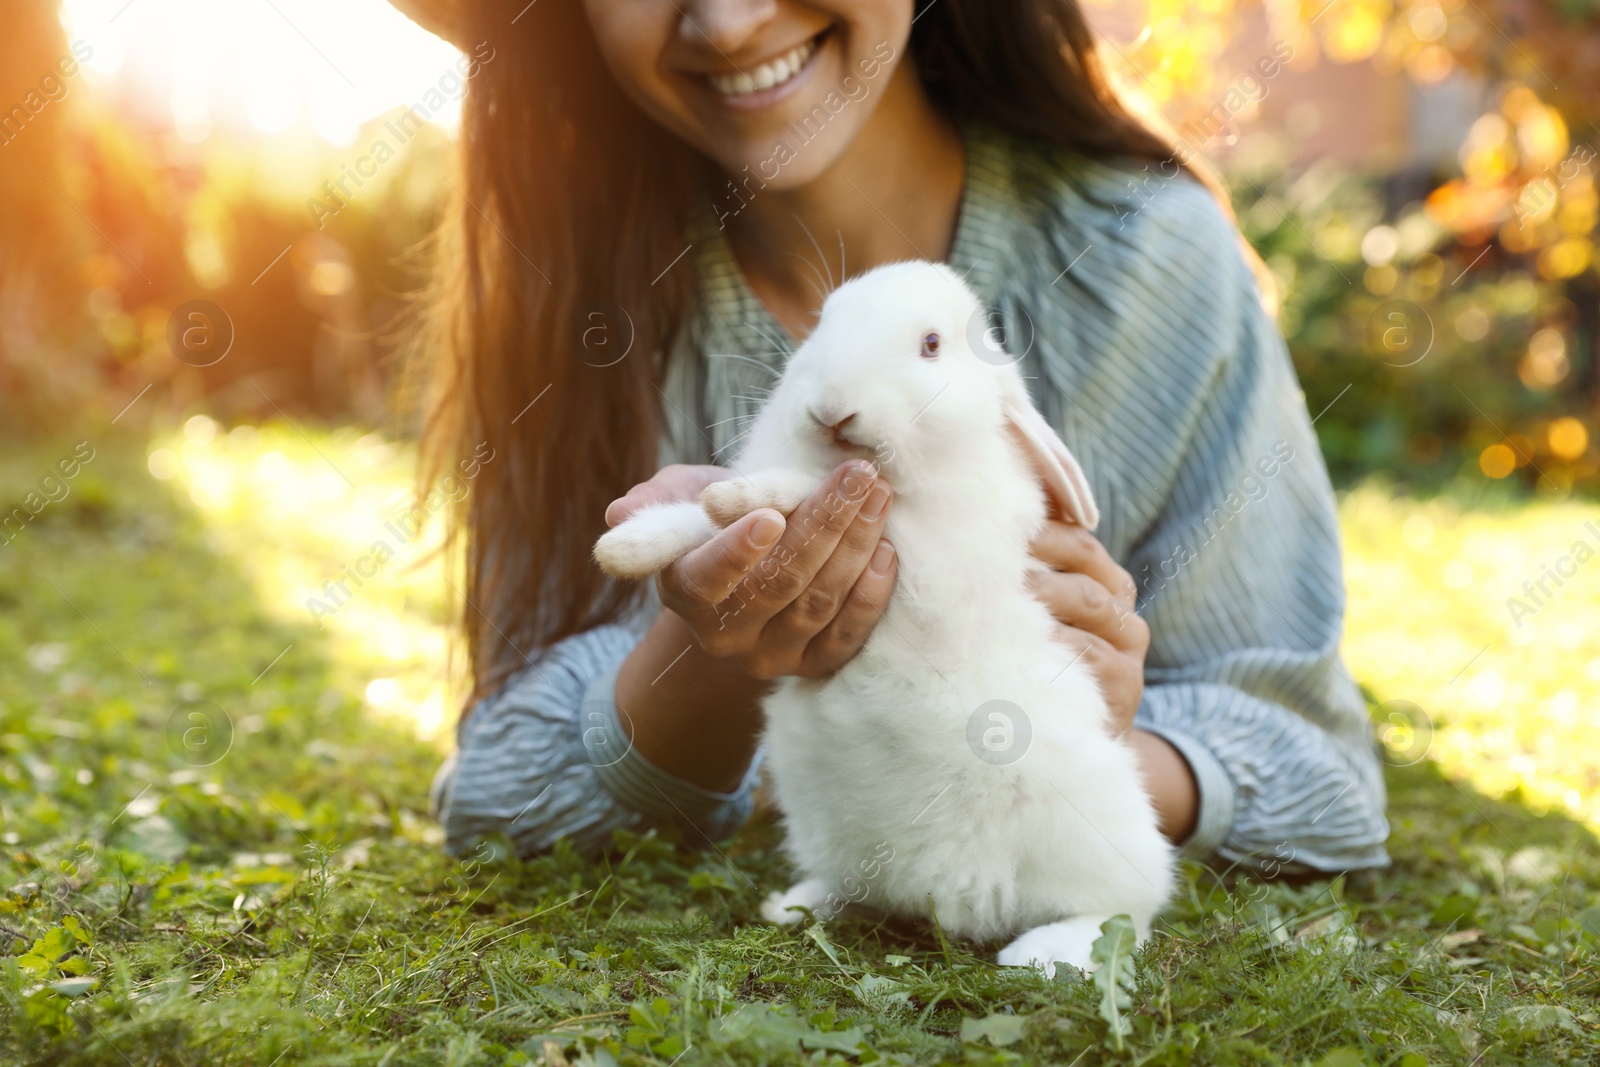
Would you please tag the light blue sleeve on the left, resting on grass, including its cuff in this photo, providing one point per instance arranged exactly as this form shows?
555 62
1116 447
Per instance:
546 757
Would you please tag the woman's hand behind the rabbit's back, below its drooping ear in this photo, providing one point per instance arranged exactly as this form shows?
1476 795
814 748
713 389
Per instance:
1094 601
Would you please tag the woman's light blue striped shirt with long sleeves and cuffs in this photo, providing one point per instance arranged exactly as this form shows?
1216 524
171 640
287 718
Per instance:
1142 332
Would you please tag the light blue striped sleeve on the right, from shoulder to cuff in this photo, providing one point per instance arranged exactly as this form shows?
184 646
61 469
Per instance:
1242 586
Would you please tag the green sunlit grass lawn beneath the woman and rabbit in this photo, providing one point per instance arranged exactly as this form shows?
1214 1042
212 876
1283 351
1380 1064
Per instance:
260 885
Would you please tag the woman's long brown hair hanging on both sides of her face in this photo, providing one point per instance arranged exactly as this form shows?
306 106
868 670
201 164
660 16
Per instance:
567 209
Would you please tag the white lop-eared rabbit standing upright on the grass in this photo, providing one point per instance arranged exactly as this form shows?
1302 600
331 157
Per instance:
964 737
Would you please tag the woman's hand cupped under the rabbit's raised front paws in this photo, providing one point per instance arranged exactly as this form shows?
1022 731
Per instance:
782 597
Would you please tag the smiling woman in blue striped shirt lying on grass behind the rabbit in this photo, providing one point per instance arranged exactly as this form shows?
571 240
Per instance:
654 196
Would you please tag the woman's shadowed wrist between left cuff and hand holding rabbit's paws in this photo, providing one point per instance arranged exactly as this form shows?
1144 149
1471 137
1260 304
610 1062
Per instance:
690 714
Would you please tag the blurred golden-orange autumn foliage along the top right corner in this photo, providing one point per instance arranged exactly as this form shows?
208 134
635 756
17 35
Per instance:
1527 166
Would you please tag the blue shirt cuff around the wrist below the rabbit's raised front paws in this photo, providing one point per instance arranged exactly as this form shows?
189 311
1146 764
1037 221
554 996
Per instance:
702 815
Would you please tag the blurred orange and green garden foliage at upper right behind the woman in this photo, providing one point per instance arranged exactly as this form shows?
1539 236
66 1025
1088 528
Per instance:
1458 332
